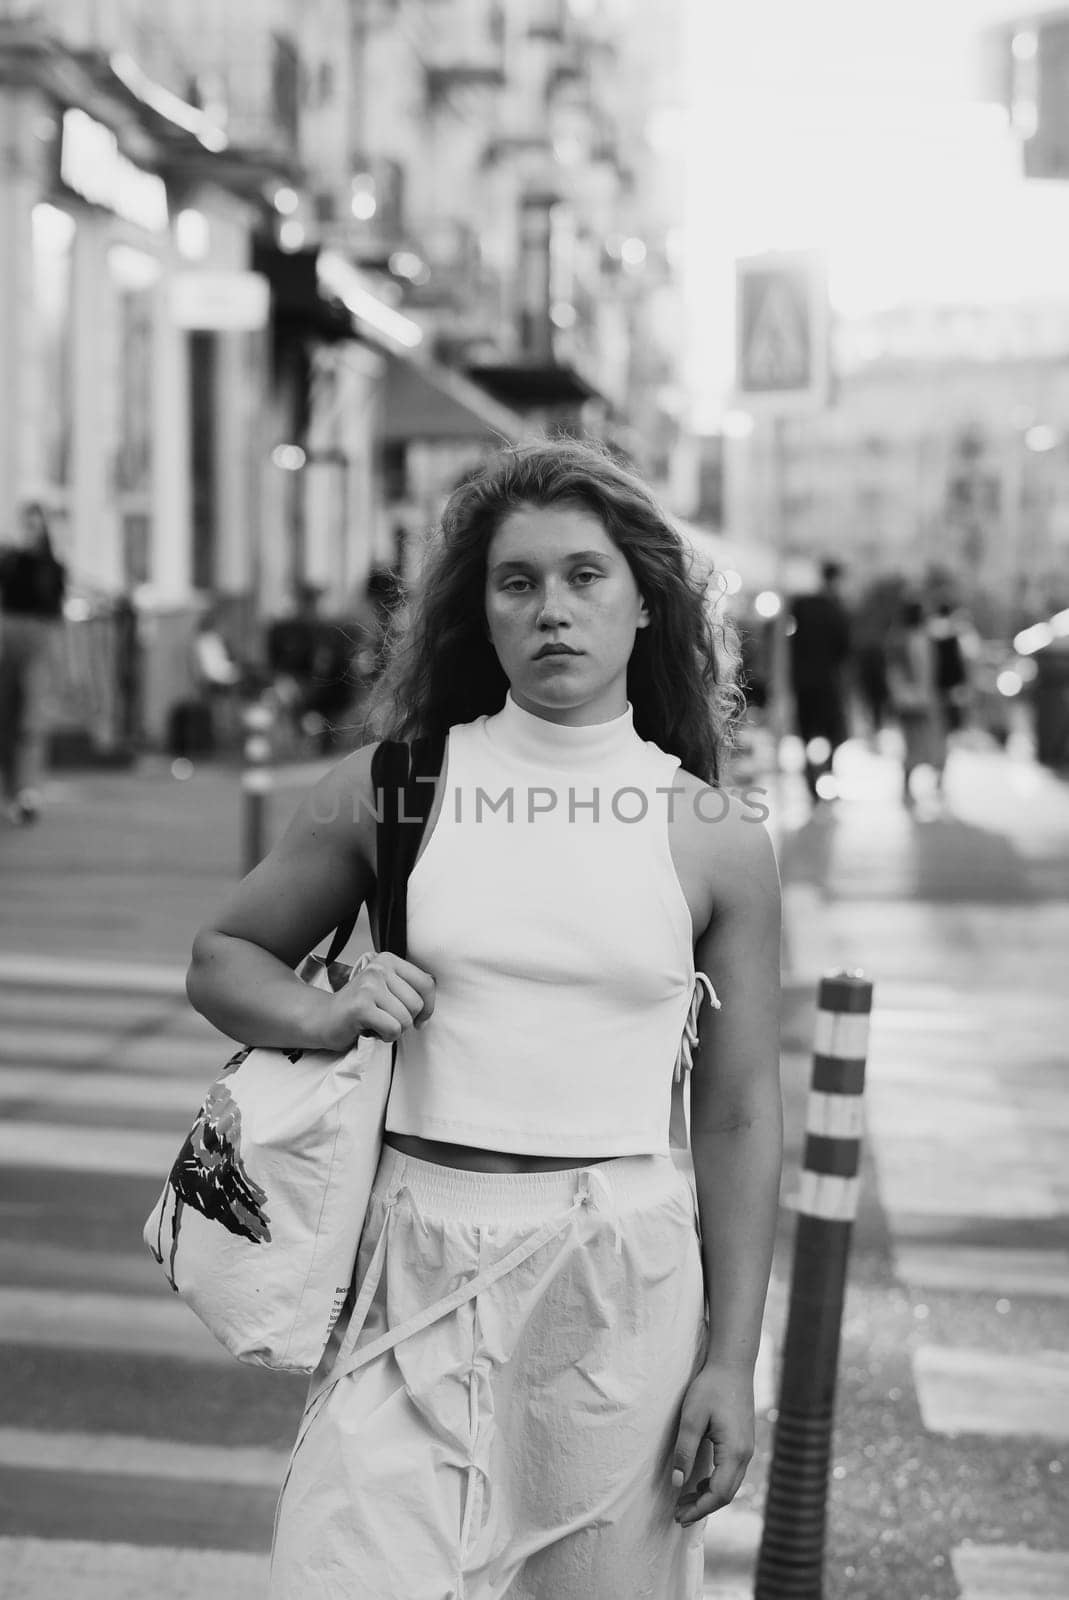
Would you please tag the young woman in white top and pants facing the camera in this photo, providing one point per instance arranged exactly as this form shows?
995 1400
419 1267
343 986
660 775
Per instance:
563 1430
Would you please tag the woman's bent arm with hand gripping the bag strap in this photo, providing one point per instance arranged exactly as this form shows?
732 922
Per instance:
319 874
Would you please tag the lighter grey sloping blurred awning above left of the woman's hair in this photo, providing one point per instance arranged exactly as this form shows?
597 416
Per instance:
430 402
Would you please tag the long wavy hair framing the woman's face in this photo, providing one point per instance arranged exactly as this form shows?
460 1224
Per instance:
442 668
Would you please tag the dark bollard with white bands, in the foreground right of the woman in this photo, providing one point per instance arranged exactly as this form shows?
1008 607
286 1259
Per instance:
791 1561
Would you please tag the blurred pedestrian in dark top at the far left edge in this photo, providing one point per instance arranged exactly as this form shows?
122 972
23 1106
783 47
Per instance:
33 591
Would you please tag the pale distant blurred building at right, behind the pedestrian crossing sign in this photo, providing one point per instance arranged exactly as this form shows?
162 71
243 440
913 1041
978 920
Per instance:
947 450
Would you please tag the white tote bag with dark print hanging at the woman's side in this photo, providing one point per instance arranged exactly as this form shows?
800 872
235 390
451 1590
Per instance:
260 1218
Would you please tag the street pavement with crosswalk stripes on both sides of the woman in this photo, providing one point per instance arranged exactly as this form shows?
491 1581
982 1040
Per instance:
138 1460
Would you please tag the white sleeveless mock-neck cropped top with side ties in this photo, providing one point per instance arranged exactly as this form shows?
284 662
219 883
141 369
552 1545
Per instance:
559 938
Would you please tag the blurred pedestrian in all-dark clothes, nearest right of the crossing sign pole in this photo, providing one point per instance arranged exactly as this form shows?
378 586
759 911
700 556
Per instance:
820 650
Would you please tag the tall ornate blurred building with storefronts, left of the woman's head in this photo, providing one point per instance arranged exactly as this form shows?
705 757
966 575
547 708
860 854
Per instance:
274 274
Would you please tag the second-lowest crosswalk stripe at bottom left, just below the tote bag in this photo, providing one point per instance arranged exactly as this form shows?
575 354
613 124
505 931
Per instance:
126 1455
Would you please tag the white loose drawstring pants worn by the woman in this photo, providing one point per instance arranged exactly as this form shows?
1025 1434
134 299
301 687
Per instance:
511 1383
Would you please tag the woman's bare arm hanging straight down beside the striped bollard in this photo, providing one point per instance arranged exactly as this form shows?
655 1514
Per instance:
737 1143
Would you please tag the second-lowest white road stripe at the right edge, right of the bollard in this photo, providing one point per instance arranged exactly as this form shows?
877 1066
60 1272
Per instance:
964 1391
